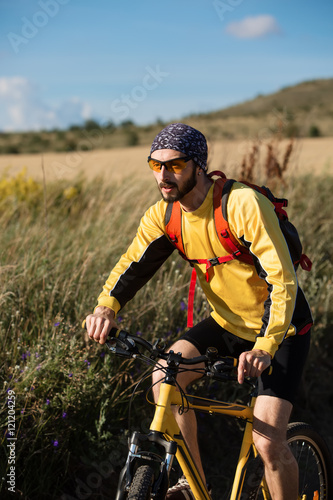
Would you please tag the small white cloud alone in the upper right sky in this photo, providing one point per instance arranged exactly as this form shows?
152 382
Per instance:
254 27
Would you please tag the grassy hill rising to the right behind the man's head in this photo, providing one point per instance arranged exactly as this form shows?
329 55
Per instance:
301 110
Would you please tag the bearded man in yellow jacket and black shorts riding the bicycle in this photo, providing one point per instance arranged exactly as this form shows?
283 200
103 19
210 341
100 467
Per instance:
259 313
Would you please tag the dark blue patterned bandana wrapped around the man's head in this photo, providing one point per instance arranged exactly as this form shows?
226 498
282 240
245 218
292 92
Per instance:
184 139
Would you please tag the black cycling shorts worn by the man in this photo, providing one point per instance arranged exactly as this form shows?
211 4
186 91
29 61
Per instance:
287 363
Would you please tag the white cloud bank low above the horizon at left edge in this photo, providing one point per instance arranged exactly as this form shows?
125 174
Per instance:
22 107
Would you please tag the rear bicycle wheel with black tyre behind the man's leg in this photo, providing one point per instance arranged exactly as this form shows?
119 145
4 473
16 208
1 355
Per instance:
314 462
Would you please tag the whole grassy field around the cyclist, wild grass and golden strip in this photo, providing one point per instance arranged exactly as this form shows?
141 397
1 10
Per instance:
59 241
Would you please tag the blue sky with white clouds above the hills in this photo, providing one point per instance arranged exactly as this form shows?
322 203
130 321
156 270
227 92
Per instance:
64 61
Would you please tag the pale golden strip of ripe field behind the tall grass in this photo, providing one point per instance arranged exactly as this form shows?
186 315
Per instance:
309 155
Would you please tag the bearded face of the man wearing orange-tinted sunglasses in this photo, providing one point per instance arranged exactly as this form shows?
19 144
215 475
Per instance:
173 186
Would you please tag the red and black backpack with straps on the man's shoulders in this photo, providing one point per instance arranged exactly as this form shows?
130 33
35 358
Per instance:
222 188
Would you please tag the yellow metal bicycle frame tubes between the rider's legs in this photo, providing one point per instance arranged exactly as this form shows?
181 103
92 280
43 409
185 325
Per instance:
164 422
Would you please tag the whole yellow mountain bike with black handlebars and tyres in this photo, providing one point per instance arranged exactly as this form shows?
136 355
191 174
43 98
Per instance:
146 473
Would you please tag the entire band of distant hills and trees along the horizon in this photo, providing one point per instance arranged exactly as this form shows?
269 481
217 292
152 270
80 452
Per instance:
303 110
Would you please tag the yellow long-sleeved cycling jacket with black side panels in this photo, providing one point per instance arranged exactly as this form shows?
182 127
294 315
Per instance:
261 303
